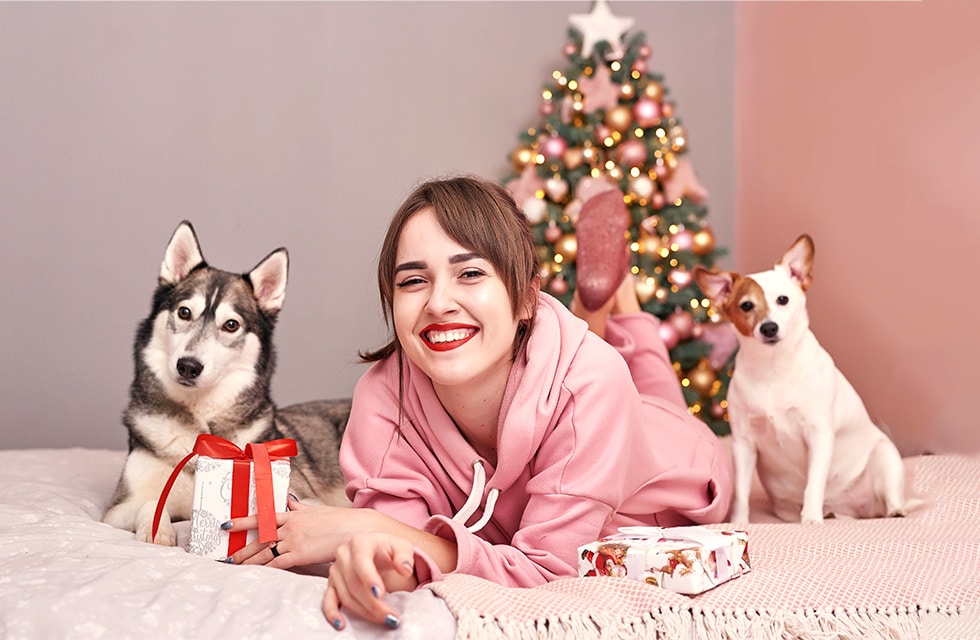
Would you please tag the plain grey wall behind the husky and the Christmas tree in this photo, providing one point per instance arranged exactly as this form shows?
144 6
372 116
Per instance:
297 124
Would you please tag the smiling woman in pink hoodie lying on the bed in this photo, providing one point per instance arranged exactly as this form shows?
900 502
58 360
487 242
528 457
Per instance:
495 433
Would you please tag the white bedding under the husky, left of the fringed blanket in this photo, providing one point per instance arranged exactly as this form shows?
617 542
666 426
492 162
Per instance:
64 574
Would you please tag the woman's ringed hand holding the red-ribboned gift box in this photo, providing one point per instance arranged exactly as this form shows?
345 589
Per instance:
306 534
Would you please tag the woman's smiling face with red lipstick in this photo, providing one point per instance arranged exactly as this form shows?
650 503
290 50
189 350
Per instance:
452 313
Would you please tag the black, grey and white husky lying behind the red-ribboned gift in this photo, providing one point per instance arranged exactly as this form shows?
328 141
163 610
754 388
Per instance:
204 360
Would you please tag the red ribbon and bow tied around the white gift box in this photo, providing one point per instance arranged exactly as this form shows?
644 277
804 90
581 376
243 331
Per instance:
261 454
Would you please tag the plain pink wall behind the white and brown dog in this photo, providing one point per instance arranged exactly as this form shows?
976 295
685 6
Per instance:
859 123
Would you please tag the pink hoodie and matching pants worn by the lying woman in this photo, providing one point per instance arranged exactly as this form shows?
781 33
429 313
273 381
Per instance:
580 452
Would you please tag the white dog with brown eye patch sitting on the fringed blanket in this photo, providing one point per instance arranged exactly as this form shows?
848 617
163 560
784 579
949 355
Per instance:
793 414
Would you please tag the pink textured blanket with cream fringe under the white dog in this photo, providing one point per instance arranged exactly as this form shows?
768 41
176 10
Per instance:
897 578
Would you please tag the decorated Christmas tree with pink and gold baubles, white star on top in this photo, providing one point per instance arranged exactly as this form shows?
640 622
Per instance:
606 117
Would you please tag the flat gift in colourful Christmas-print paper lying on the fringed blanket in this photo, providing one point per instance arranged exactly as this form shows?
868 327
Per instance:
688 560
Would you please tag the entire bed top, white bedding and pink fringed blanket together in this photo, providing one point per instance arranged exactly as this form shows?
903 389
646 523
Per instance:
65 574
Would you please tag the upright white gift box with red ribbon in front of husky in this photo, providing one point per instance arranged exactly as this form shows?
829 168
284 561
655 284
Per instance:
230 482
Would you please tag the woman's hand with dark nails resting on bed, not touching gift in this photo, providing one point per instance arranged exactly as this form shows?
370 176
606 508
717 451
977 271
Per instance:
367 567
